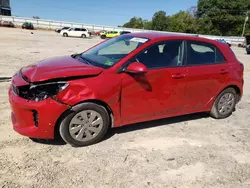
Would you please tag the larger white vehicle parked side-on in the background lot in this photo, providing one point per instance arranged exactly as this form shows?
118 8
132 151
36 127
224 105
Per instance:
75 32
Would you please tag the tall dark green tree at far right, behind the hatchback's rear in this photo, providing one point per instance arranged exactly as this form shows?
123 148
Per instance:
226 16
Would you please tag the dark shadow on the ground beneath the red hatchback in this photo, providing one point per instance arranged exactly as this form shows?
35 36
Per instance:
58 141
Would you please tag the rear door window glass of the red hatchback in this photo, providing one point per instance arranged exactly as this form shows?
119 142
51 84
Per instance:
201 53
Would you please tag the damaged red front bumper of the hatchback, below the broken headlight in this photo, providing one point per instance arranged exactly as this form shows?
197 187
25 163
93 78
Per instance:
34 119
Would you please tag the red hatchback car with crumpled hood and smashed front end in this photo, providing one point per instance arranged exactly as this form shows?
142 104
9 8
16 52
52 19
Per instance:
128 79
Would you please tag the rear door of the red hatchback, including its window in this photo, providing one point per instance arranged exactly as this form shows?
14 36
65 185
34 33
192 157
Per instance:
207 74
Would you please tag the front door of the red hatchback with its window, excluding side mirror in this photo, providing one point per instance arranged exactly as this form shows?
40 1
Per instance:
159 92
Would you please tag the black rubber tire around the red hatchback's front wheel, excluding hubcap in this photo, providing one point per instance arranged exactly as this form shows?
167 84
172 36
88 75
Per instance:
64 128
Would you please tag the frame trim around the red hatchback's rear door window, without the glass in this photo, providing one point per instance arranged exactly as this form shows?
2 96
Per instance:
198 65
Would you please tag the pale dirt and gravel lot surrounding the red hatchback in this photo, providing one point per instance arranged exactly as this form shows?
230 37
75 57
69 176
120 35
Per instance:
190 151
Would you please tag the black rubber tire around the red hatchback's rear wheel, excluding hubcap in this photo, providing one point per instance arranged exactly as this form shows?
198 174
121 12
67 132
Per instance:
215 112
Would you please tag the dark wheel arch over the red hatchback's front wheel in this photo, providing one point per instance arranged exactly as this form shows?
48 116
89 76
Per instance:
68 111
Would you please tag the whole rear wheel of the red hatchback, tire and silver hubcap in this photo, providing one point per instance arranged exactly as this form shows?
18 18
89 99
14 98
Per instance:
224 104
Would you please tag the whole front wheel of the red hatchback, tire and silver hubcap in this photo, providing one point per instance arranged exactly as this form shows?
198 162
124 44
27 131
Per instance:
86 125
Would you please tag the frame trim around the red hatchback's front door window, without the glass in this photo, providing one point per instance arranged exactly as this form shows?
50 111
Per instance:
125 65
